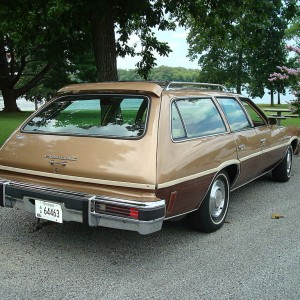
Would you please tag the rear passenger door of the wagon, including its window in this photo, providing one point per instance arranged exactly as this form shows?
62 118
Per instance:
248 141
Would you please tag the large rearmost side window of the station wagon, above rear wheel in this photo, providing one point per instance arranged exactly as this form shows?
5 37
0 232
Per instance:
198 117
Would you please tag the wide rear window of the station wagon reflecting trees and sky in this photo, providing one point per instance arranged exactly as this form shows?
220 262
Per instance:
116 116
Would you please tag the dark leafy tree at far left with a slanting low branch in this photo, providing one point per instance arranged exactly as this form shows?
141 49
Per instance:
31 44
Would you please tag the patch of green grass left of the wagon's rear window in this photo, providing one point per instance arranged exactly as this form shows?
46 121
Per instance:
9 122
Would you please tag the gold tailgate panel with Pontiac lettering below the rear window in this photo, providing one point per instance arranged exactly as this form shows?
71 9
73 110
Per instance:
79 158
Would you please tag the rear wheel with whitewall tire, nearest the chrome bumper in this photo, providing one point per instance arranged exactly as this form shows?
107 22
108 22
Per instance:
213 210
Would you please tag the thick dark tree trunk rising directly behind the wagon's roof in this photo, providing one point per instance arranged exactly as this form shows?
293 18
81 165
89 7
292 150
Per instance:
104 43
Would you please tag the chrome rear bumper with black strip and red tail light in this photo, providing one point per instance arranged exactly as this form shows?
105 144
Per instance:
93 210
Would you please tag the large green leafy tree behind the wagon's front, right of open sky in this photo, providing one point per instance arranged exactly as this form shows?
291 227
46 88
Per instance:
238 42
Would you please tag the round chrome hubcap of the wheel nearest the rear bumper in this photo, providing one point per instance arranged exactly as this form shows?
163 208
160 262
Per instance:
217 198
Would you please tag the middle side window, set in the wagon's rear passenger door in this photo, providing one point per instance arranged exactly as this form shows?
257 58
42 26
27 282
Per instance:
234 113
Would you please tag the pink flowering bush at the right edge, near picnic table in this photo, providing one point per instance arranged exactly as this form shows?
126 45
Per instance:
285 74
